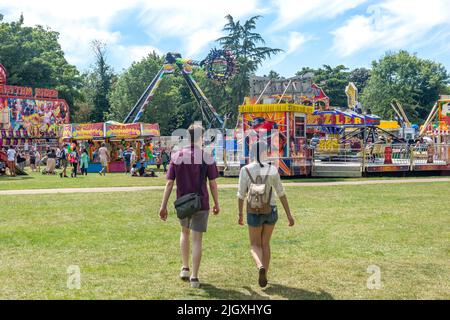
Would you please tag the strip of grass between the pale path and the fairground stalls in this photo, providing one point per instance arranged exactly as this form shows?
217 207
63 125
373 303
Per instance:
93 180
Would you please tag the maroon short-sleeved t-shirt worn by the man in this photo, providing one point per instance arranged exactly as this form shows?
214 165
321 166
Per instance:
185 167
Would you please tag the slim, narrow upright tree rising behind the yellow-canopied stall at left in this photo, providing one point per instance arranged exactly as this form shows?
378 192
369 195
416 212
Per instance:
103 76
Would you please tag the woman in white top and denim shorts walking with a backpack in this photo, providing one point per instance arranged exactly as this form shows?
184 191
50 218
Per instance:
256 183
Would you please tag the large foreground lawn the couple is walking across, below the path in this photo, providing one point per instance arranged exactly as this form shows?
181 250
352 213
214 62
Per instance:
125 252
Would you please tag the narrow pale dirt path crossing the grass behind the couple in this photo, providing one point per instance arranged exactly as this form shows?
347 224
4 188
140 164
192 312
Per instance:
222 186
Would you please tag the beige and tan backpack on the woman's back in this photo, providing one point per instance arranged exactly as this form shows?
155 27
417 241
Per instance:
258 201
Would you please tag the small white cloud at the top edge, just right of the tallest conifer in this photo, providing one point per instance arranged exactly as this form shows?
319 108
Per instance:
290 11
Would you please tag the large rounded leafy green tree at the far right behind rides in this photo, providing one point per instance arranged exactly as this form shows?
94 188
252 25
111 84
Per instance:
415 82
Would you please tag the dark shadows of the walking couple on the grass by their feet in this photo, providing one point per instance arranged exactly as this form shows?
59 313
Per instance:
273 289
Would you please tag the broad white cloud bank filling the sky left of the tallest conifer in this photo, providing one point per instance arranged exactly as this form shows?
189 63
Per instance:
196 22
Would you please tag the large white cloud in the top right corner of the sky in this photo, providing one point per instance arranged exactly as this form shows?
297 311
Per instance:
392 24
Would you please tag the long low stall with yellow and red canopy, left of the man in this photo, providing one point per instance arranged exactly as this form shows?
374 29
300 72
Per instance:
117 137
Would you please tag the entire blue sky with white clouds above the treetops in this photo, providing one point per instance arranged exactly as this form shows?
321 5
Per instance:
311 33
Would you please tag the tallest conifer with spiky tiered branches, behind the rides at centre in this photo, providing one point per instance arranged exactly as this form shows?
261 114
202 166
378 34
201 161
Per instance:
245 45
